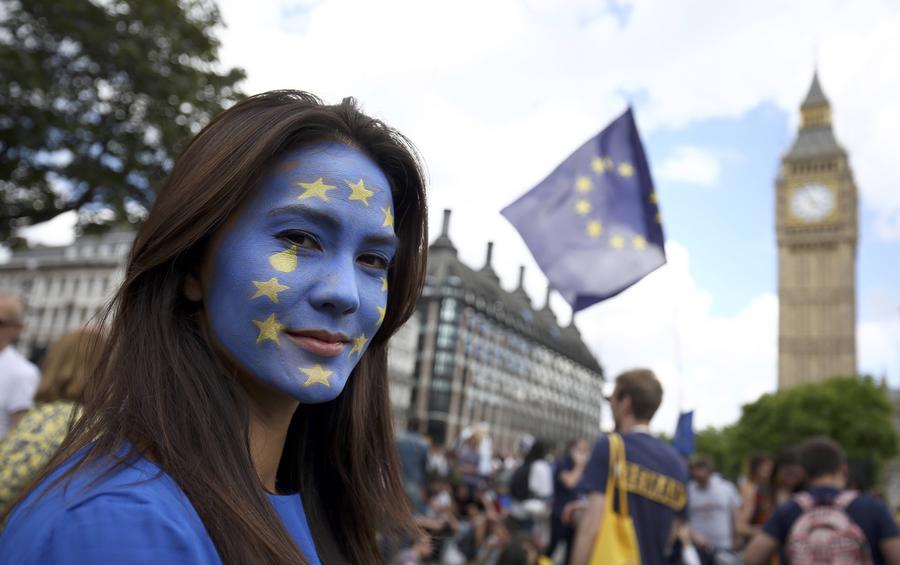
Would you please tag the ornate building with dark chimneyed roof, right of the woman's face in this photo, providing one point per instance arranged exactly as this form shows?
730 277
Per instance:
486 355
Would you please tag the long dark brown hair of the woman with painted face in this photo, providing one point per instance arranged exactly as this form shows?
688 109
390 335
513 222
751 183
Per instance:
162 389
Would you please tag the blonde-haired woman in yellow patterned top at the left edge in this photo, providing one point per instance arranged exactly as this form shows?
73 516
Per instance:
27 448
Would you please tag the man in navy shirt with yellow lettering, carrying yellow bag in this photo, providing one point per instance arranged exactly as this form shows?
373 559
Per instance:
655 474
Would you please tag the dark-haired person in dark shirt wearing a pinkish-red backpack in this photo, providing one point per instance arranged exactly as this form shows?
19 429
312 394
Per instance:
826 470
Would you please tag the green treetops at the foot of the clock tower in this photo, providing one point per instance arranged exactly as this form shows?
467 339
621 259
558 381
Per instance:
853 411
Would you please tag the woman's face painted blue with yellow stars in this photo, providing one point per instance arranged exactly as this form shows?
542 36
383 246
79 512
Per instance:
298 281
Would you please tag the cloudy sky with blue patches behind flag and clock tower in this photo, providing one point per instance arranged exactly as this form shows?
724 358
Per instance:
496 94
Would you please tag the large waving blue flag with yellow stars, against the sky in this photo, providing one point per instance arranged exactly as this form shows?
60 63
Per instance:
593 224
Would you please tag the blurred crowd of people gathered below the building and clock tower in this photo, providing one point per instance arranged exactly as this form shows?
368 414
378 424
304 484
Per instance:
484 508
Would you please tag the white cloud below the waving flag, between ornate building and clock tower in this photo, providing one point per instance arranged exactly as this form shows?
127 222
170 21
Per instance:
708 363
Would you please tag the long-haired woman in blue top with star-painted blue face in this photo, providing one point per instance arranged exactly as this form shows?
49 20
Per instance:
241 411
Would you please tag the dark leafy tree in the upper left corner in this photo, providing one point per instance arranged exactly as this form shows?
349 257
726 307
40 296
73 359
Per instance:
96 99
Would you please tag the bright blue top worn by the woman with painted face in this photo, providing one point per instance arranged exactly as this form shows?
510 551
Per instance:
136 515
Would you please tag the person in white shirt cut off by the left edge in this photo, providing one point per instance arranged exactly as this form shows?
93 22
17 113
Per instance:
18 377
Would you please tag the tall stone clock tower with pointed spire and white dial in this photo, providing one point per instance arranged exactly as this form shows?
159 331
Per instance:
816 224
